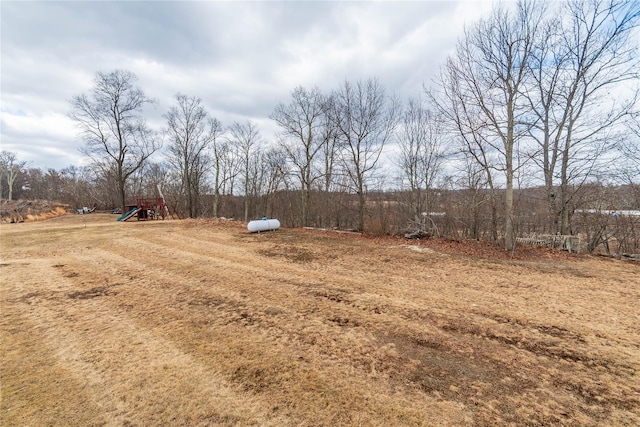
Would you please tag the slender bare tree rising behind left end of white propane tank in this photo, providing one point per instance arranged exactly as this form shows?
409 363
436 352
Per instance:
245 138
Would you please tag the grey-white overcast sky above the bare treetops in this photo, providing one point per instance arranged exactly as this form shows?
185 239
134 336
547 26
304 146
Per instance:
241 58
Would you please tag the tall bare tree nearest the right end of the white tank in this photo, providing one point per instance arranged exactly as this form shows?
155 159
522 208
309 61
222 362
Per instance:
304 134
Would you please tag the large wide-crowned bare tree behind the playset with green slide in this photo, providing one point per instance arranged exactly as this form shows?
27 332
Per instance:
110 119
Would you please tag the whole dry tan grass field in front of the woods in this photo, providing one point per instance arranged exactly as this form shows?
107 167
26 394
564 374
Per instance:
200 323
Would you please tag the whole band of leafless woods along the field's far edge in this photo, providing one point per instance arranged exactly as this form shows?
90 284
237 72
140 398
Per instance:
531 127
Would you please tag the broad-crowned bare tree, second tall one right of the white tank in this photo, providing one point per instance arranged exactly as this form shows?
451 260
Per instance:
364 120
